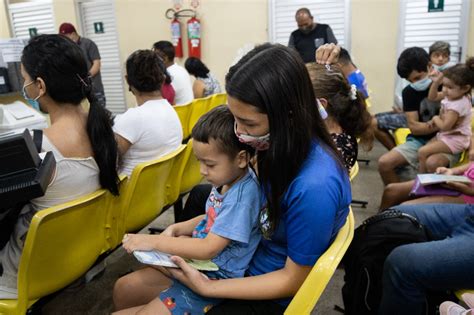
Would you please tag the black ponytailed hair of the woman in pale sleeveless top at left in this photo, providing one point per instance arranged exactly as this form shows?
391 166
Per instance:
60 63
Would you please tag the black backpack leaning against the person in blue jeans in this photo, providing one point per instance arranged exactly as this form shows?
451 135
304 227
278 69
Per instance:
363 262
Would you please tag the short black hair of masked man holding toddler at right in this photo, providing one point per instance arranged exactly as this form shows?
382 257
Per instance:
412 59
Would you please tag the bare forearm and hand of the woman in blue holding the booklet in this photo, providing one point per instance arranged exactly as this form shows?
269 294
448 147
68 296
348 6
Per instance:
281 283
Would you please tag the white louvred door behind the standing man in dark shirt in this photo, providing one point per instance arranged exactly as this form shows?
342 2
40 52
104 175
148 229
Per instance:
336 13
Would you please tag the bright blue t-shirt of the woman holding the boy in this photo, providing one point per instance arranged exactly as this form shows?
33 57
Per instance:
314 208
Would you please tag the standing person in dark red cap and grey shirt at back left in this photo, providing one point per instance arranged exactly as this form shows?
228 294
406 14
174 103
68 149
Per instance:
91 52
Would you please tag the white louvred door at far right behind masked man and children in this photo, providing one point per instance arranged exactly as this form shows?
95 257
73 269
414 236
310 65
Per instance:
421 28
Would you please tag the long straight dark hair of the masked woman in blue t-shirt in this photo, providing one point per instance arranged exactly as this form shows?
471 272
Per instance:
274 79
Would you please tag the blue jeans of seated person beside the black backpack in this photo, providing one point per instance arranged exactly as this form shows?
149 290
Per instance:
445 263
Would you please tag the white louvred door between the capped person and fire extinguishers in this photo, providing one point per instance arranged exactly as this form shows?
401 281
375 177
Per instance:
98 24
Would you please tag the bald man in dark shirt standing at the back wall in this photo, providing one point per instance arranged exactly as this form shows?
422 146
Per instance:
309 35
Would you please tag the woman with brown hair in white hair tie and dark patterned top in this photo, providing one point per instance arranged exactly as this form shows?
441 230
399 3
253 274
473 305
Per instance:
347 115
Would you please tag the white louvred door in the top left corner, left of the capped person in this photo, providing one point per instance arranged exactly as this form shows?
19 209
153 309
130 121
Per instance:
30 18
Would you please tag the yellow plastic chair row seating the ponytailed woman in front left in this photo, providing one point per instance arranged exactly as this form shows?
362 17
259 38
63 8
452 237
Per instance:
64 241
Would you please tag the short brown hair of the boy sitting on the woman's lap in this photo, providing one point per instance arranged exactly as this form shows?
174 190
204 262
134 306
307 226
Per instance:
218 124
